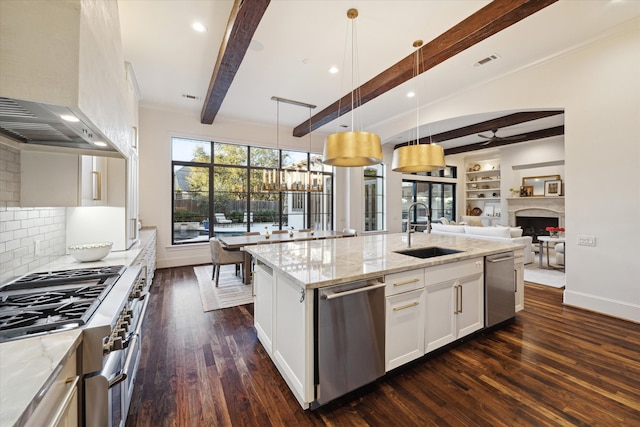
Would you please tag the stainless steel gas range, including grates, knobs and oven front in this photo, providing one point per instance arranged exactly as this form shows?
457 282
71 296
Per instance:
108 303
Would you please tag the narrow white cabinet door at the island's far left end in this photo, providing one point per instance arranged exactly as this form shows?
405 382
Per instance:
263 306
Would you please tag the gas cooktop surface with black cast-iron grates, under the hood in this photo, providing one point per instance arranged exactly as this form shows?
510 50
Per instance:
42 302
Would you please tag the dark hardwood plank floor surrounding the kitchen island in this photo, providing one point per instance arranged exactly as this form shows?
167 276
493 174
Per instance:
554 365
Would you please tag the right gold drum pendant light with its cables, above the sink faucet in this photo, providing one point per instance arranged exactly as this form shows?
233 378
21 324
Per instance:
418 157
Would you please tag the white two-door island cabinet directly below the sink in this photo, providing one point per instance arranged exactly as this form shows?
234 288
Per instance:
454 302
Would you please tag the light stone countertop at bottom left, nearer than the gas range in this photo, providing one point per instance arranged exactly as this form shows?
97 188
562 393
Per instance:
26 366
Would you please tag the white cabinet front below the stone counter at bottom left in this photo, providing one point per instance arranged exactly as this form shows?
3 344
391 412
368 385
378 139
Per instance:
59 406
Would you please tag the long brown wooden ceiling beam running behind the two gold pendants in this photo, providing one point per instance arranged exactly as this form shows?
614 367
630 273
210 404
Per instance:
491 19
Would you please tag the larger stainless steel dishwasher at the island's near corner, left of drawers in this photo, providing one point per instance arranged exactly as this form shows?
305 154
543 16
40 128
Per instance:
349 332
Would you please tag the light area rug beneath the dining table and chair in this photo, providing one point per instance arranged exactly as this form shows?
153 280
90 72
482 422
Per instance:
229 293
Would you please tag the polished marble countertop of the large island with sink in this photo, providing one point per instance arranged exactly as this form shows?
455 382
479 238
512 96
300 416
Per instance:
318 263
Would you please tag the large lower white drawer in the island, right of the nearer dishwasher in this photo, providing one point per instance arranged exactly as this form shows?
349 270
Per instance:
404 327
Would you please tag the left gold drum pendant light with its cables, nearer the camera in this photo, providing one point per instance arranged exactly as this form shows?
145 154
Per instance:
352 149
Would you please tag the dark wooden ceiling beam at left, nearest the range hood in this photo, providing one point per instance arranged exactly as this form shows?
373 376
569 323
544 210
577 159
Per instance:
243 22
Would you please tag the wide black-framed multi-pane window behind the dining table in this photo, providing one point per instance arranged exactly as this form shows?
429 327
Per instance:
218 188
